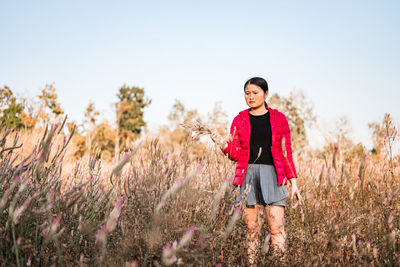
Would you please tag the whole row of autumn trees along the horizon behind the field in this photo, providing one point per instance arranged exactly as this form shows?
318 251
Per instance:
97 135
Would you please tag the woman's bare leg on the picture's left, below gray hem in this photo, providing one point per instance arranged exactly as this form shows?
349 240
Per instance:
252 220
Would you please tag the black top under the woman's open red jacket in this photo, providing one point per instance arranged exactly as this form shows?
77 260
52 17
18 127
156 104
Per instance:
261 136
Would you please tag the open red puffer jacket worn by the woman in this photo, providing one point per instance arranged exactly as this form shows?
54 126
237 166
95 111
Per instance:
239 147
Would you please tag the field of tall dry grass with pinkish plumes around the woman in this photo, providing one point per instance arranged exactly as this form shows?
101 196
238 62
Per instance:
157 206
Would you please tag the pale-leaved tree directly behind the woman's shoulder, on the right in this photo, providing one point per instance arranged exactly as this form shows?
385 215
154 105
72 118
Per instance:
299 113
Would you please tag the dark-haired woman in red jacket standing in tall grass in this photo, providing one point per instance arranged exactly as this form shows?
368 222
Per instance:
261 144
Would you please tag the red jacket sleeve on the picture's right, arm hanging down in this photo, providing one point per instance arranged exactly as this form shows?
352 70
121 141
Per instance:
290 170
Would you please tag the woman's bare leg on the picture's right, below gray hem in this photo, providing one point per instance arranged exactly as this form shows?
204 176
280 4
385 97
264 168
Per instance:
275 219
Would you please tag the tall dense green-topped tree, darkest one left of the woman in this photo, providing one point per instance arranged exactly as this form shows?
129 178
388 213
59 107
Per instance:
129 110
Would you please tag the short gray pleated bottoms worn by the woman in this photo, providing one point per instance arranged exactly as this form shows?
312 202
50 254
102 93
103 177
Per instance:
262 187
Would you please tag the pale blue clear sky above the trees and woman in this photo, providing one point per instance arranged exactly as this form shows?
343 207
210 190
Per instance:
344 55
